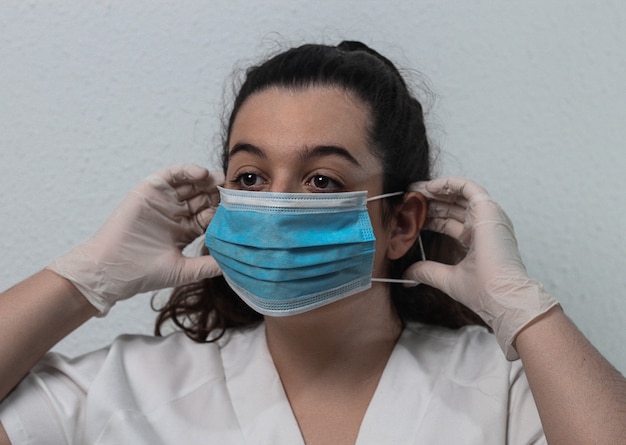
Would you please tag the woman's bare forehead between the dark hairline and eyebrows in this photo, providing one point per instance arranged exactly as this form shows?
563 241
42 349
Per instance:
312 115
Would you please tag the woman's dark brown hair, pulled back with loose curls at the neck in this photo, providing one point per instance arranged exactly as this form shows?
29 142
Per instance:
397 136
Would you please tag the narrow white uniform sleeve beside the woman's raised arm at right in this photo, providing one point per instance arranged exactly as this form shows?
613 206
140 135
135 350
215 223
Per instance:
524 424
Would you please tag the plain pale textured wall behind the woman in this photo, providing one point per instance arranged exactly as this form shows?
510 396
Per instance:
529 102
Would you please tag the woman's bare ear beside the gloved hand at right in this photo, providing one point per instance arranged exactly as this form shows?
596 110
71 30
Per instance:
407 224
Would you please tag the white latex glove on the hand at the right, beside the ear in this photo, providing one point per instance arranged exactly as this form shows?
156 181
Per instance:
491 280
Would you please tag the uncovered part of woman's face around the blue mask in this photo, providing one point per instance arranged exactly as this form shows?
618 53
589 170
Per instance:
311 140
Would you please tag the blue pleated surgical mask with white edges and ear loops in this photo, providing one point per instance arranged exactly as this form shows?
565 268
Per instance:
288 253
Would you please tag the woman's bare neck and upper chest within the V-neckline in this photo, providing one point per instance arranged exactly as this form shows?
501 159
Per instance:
331 359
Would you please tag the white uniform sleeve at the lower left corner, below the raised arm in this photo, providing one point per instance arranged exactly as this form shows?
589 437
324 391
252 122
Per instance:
50 400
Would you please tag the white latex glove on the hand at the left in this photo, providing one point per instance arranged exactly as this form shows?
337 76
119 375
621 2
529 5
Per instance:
139 247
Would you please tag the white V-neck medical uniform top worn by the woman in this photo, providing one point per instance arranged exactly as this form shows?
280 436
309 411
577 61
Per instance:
439 387
